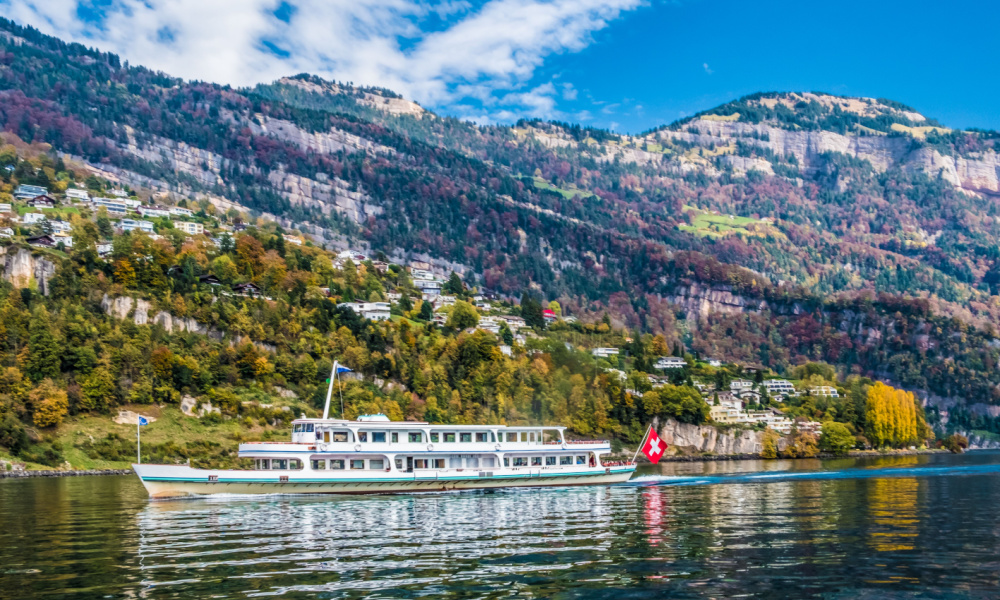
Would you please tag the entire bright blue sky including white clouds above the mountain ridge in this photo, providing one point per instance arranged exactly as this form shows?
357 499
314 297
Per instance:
625 64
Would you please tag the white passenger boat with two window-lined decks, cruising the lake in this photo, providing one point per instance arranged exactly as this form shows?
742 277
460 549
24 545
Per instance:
375 455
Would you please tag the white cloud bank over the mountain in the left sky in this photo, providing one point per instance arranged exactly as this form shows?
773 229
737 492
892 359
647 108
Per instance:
489 52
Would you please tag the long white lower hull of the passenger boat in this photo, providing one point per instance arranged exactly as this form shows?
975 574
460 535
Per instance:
172 481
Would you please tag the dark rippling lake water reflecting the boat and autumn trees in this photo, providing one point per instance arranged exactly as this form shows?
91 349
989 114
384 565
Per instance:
902 527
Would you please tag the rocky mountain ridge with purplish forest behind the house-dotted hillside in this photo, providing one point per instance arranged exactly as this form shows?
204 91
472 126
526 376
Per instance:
775 229
